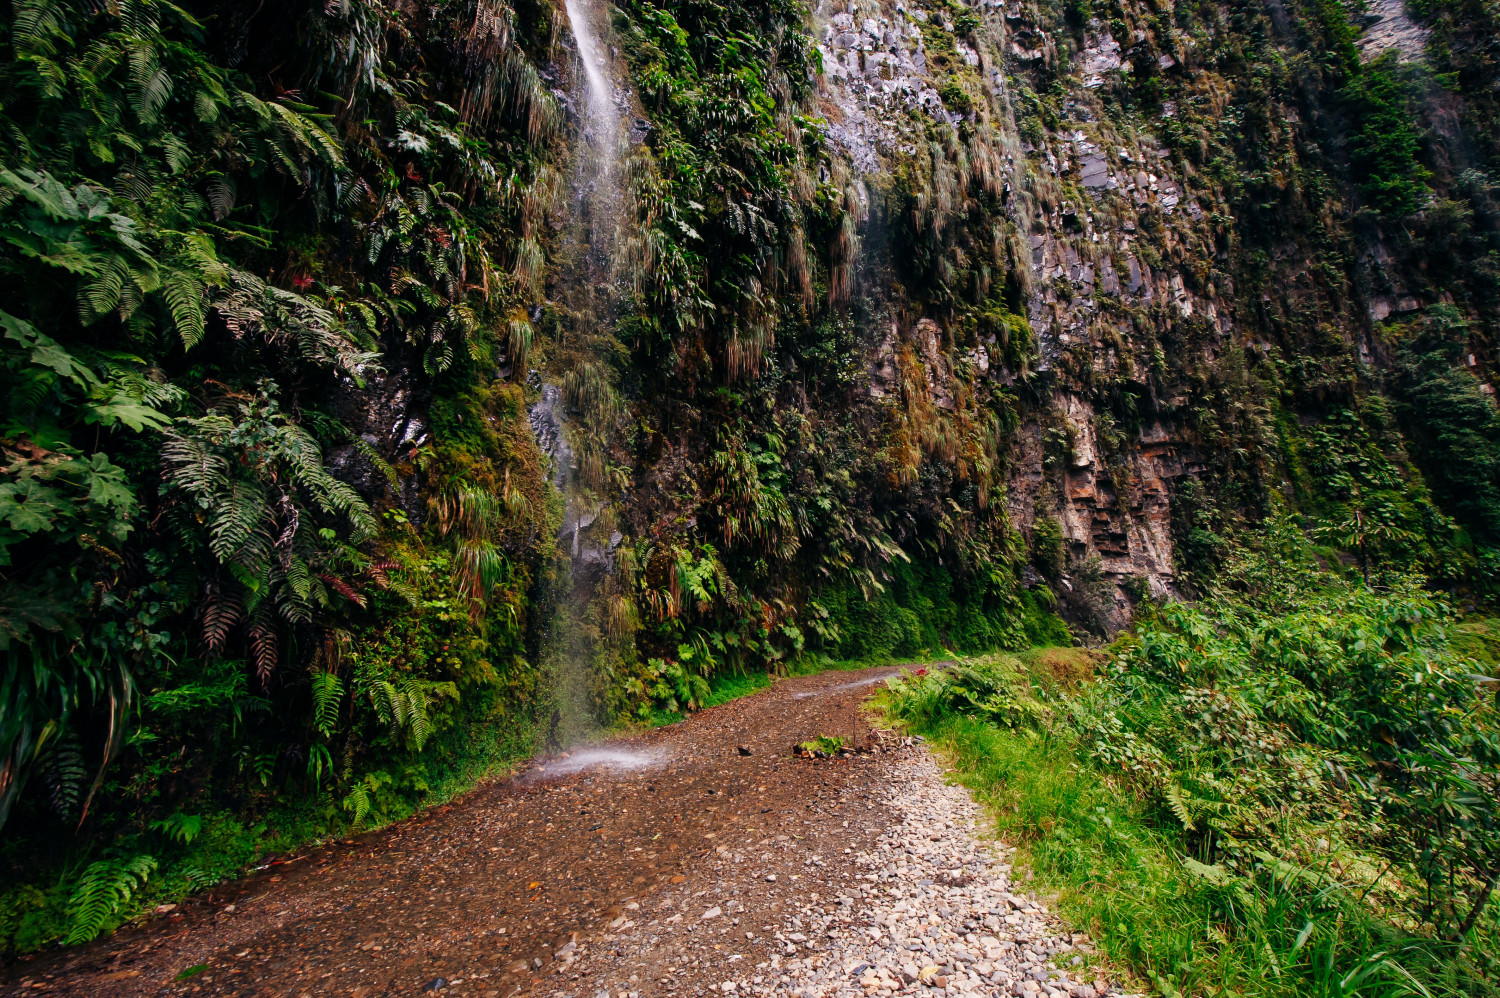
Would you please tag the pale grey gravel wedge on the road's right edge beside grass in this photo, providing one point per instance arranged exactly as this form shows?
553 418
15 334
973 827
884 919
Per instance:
934 913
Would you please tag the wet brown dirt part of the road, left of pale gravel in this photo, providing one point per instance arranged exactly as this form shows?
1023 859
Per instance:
478 897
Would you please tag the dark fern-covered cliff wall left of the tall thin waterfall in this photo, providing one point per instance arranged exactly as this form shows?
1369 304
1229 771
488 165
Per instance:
220 284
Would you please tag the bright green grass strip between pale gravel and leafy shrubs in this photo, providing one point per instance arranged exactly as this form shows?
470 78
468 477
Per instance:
1117 874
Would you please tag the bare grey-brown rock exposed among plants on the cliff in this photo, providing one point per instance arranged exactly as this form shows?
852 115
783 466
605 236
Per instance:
1093 269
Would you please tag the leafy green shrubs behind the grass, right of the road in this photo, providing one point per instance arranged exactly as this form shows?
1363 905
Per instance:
1358 726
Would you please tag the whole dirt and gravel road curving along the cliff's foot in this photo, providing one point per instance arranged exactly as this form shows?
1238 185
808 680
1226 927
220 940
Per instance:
694 859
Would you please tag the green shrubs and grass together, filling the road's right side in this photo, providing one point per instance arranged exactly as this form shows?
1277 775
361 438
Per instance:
1289 789
